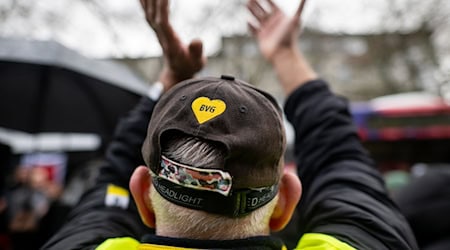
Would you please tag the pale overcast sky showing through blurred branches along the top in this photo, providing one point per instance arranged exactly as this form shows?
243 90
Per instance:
77 24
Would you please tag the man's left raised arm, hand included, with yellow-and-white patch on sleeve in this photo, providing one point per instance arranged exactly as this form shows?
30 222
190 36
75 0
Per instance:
107 210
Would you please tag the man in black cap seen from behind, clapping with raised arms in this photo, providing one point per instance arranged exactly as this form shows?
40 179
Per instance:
196 170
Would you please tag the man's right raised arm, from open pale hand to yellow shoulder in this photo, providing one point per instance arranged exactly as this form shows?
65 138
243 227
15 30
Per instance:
344 204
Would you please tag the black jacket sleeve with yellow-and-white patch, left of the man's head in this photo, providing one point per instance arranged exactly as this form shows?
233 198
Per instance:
107 210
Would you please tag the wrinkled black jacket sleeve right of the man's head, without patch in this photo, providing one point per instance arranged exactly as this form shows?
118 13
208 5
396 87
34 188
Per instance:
343 193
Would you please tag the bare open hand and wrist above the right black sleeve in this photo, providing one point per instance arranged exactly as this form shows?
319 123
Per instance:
277 36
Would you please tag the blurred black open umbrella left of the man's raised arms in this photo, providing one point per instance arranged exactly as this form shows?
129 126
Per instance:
45 87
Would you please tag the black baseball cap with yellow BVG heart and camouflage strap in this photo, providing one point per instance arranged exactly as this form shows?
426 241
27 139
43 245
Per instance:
245 120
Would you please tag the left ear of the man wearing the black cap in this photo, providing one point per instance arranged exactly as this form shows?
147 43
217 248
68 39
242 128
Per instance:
140 184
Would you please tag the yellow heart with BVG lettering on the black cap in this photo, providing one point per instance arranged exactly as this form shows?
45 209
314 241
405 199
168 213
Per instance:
205 109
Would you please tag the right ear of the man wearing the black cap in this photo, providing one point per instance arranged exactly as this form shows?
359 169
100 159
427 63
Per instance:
288 198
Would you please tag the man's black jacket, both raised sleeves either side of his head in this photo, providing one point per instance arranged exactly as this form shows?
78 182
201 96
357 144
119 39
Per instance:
343 194
